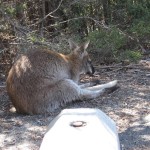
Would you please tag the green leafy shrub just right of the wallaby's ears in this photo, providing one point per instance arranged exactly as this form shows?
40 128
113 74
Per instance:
107 42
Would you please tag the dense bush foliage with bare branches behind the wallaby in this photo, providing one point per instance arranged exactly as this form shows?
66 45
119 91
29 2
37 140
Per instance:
117 29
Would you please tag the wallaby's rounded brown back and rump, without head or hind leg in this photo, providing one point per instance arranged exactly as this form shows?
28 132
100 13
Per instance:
31 74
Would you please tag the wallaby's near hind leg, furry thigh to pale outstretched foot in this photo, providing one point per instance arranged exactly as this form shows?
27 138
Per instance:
67 91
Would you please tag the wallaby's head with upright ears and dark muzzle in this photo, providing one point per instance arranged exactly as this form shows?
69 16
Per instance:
82 57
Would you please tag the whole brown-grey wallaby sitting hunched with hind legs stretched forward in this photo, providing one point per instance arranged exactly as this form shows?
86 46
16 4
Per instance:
42 80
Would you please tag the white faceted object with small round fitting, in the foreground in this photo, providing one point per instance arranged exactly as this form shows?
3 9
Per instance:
81 129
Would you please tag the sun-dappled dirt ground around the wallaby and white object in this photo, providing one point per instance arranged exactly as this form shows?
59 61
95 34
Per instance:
128 106
